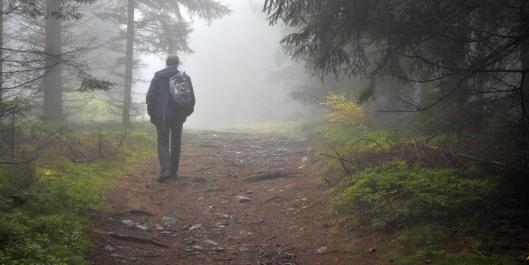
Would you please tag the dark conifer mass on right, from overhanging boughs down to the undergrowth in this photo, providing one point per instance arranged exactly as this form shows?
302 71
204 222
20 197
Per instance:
450 61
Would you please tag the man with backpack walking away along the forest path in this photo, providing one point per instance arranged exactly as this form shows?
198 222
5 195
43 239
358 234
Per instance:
170 100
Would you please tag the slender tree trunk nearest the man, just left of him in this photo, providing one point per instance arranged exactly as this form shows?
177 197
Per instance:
127 97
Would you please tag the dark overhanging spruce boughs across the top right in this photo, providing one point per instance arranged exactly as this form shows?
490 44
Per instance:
400 39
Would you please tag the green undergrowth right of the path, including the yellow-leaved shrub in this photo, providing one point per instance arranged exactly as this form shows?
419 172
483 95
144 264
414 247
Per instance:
429 206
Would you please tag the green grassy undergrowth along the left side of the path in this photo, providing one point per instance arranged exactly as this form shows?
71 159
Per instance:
48 206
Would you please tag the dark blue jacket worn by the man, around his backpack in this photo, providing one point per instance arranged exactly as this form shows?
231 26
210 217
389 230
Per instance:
158 105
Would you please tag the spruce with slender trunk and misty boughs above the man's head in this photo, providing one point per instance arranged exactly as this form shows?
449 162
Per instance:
158 26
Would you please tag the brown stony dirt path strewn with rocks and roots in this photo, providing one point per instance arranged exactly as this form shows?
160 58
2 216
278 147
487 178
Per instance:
240 199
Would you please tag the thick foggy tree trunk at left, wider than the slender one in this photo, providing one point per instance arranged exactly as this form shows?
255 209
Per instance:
52 85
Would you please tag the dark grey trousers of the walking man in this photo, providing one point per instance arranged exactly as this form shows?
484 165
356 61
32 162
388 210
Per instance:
169 141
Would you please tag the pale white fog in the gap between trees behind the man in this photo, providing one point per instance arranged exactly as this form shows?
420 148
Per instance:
232 69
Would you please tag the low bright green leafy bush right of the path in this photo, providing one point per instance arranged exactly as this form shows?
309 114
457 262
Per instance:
396 194
